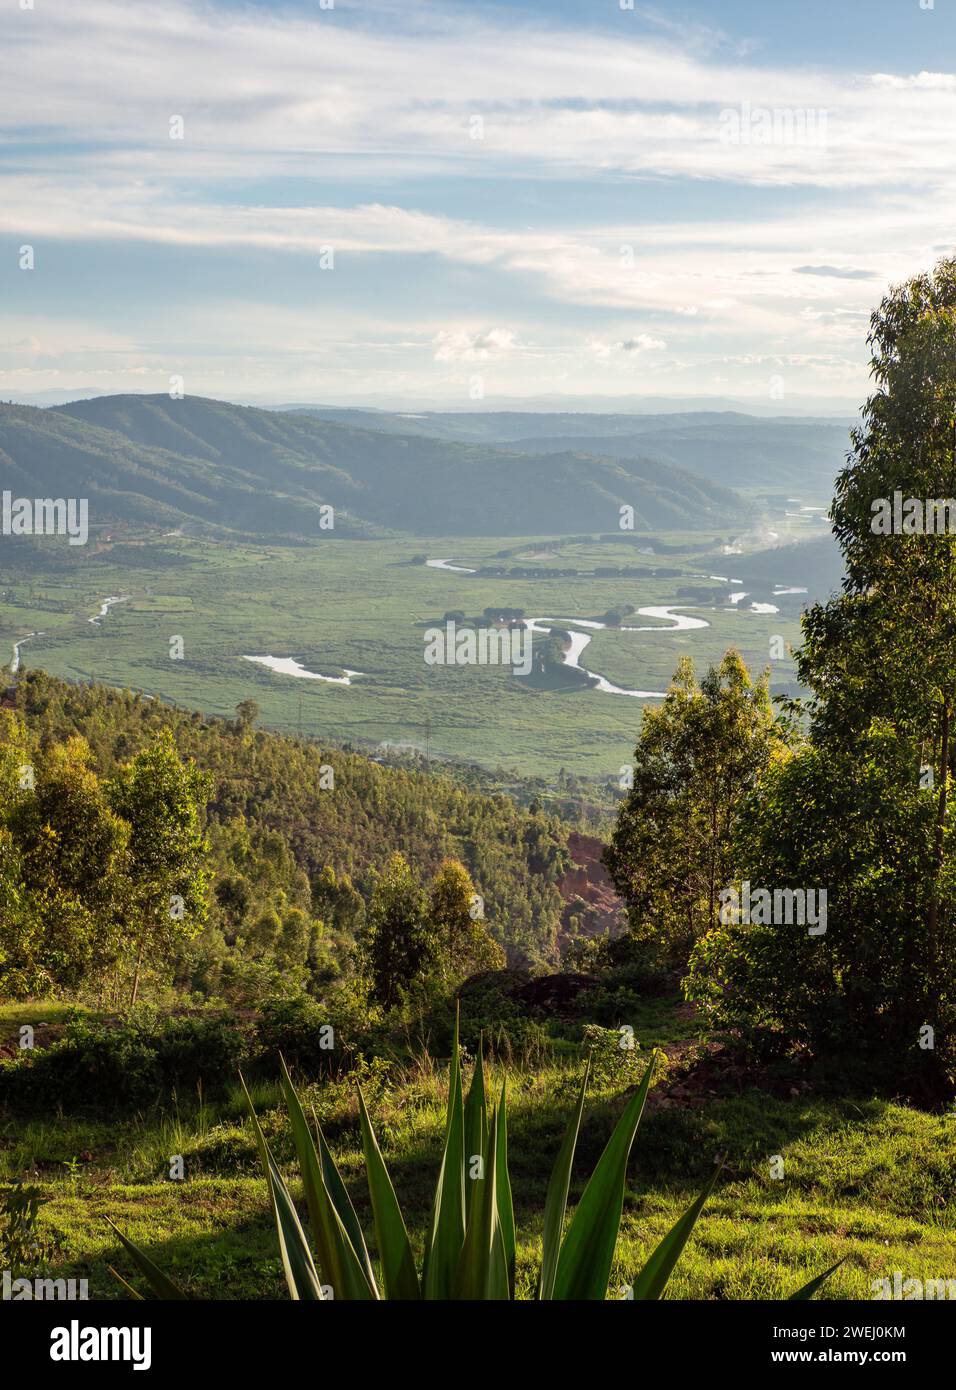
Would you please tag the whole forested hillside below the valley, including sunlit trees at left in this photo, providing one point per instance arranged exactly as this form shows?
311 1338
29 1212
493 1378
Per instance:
216 860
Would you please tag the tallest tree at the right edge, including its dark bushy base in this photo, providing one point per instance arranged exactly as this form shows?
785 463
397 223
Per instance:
866 810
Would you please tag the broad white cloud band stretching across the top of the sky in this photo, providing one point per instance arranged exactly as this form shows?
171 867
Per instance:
270 94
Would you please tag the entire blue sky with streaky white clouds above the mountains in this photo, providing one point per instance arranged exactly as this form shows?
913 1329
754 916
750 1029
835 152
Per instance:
468 205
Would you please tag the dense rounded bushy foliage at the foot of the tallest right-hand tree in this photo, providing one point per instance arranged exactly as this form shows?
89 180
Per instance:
858 824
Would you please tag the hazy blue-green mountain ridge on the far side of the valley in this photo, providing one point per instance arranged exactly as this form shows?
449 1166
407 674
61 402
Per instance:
209 464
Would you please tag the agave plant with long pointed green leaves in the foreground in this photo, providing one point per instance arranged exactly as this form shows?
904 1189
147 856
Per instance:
470 1248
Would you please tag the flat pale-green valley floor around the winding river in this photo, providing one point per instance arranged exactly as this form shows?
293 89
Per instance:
363 605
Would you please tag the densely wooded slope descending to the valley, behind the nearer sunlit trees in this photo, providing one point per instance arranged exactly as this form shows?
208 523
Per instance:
273 787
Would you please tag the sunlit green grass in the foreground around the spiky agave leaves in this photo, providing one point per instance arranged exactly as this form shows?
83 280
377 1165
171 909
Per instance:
865 1181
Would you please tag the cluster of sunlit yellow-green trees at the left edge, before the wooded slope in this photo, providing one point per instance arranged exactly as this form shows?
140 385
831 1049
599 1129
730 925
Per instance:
91 865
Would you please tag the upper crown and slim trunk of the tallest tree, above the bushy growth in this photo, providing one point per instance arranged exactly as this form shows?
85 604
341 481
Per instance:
886 648
